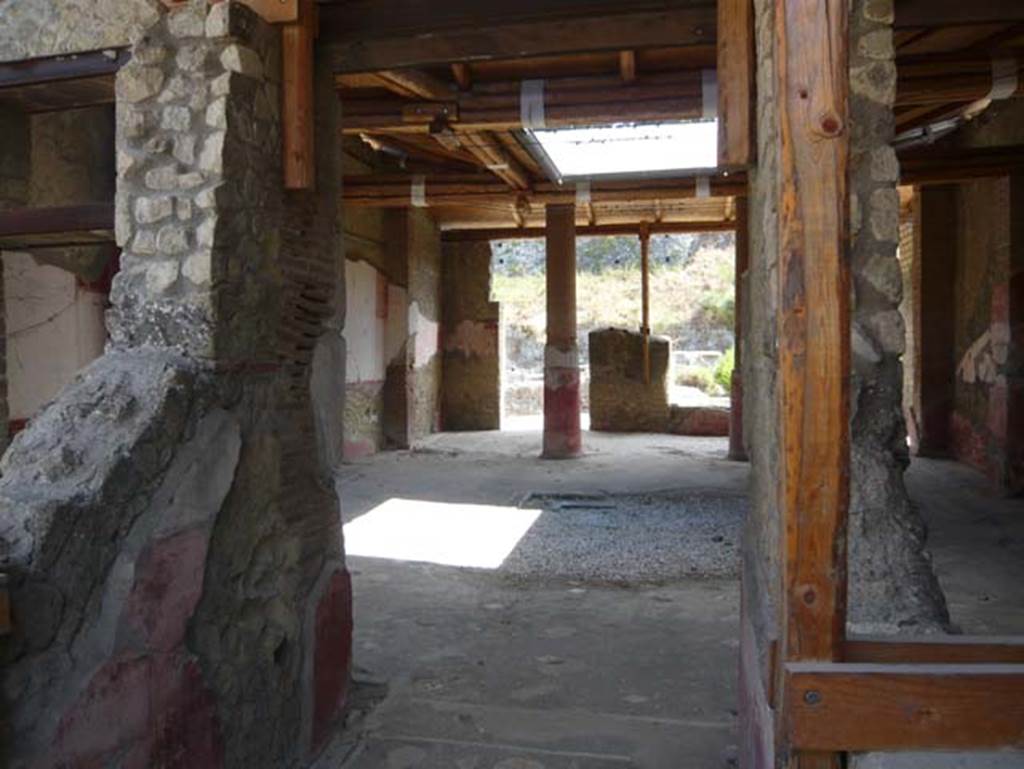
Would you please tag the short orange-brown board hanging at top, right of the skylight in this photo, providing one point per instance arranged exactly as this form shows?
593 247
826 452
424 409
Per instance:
736 83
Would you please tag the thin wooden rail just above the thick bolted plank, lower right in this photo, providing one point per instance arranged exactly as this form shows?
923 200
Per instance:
935 650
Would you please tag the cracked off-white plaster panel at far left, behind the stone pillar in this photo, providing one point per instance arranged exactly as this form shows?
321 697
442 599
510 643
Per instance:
55 328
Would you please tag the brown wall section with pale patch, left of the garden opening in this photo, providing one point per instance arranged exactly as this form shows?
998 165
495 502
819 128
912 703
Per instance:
472 391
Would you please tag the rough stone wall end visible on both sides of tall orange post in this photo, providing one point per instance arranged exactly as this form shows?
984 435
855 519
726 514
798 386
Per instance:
892 588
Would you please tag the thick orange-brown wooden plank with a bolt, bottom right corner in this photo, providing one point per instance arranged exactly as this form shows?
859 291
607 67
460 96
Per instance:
856 708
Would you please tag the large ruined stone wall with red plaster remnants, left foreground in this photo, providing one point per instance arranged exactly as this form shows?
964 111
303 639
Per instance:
179 587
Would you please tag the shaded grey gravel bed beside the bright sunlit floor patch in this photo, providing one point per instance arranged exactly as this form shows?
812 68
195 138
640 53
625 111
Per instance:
626 539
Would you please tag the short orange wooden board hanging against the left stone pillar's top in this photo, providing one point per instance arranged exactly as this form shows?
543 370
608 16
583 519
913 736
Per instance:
297 98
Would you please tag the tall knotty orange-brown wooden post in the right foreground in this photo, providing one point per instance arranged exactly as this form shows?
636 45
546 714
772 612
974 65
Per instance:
814 328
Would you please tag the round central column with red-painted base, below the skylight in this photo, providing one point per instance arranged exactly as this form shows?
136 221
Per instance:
562 360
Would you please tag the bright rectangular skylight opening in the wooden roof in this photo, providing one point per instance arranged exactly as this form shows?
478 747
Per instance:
630 149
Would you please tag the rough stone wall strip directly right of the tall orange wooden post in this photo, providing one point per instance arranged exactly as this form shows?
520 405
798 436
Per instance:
892 586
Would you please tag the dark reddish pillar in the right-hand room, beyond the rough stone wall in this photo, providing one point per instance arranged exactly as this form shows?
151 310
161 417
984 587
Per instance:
935 274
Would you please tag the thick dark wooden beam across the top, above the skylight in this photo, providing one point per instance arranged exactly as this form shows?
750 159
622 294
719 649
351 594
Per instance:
588 33
